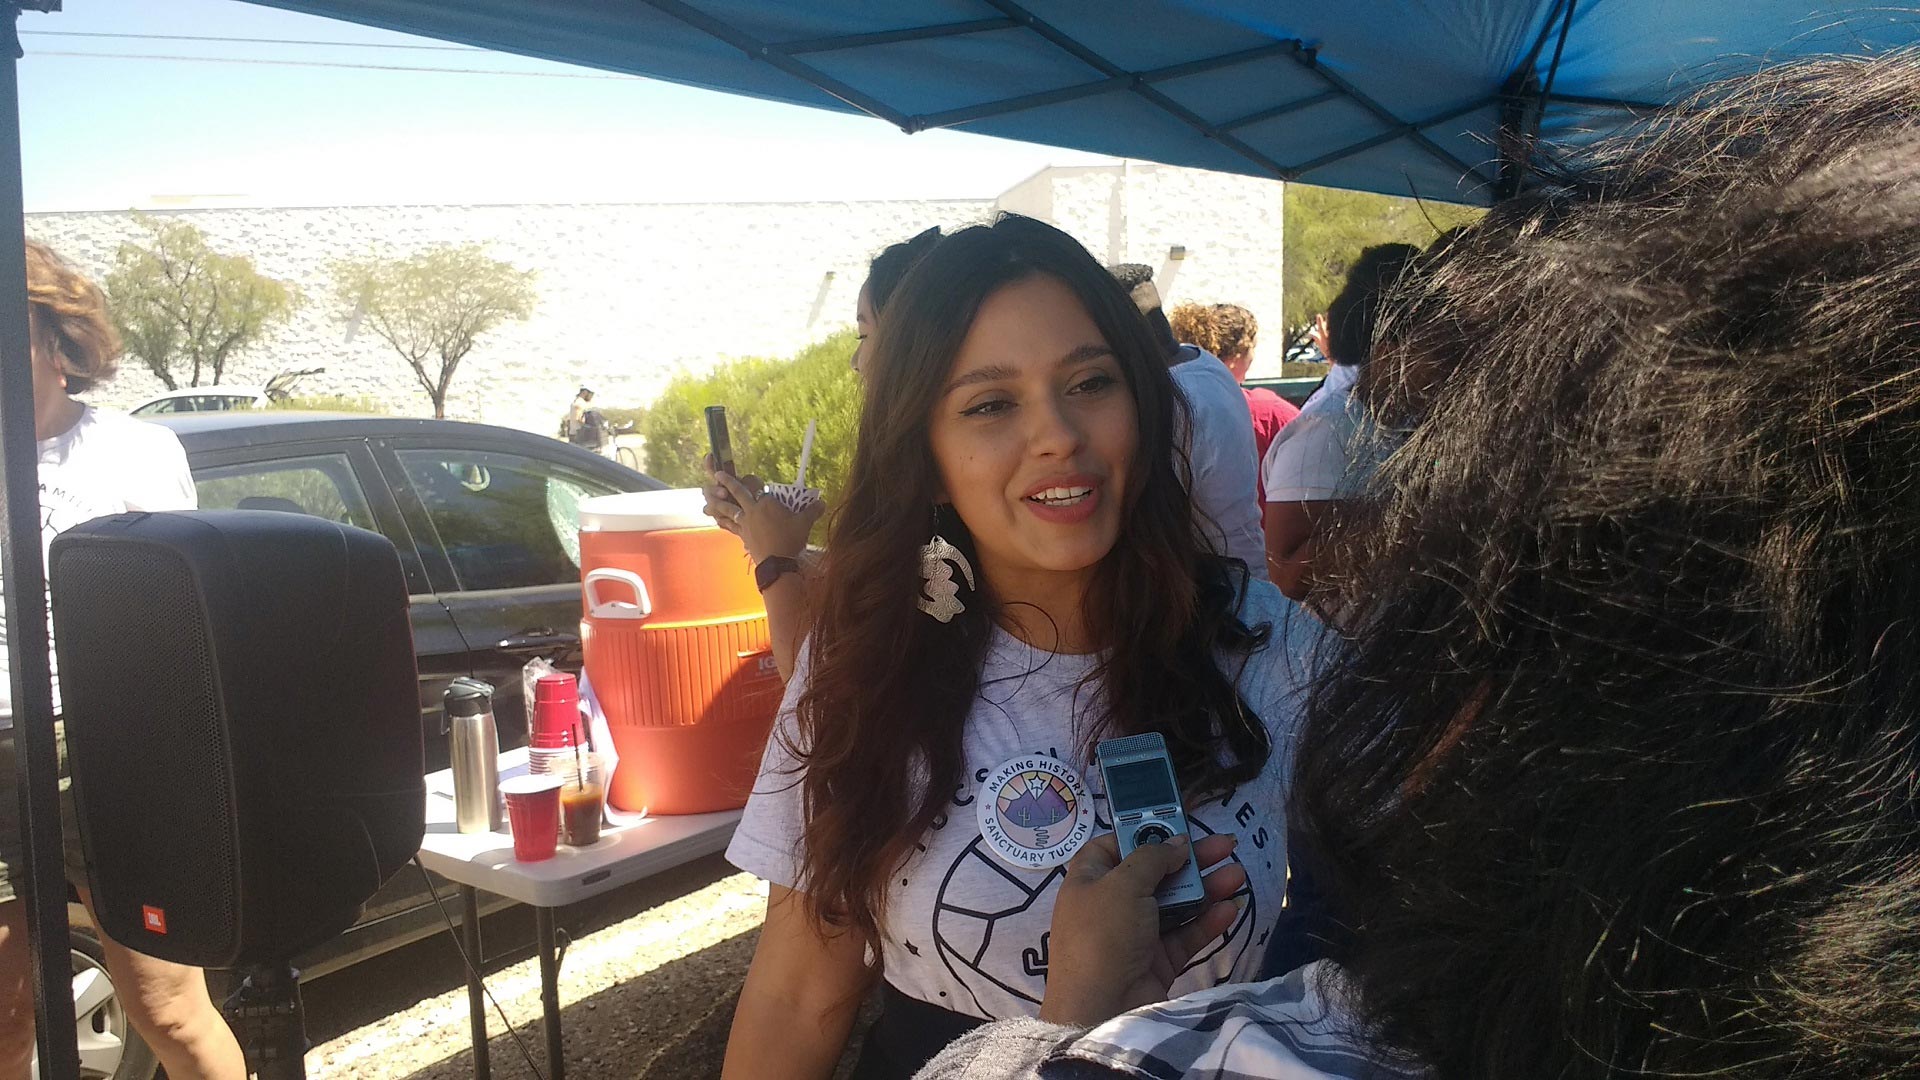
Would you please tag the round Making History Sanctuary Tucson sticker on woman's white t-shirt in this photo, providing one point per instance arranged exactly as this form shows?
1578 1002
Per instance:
1036 812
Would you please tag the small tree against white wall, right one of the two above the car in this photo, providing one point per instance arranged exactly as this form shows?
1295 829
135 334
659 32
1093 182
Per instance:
435 307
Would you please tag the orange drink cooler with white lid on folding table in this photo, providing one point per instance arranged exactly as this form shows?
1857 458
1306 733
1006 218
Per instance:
677 647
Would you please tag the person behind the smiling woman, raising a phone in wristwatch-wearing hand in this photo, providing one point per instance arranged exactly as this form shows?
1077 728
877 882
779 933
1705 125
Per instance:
775 535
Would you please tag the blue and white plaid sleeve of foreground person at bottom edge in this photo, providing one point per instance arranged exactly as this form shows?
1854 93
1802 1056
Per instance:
1287 1029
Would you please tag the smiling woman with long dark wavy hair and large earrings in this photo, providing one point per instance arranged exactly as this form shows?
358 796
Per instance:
1015 576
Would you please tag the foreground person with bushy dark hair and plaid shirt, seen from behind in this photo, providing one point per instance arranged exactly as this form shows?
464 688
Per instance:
1618 773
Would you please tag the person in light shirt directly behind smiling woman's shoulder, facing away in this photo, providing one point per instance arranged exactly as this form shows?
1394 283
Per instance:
1218 439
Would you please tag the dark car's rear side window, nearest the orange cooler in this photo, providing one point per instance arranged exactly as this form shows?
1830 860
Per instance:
504 520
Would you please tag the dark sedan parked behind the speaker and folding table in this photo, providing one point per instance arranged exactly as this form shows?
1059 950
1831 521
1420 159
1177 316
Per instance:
485 526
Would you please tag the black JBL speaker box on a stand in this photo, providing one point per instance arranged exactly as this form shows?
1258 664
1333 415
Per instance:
243 725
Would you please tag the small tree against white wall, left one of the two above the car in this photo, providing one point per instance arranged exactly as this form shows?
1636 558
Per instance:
187 310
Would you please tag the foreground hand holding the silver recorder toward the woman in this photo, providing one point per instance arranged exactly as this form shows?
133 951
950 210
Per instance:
1107 952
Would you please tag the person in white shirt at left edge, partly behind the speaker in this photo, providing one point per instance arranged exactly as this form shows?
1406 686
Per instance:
93 464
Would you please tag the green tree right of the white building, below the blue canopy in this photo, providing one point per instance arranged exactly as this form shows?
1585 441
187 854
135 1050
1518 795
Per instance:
1328 230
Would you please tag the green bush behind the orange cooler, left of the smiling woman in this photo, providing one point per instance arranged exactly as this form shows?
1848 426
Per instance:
769 405
